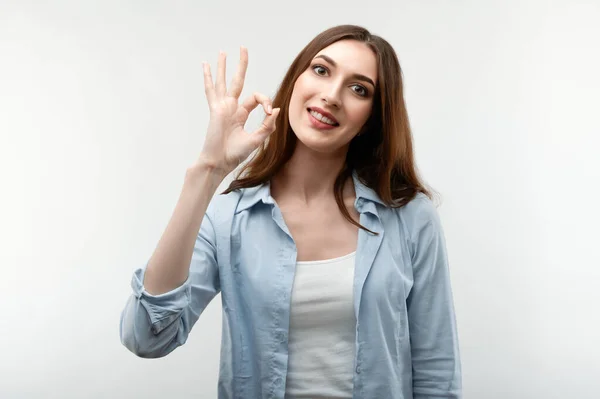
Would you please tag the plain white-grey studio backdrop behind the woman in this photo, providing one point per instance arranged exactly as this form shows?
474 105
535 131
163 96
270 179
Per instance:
102 109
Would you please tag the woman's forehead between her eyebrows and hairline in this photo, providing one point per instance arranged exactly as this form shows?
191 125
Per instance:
352 56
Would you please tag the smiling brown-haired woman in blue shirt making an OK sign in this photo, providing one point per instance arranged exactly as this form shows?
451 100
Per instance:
327 250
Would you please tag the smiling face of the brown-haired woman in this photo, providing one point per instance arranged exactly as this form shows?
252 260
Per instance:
332 99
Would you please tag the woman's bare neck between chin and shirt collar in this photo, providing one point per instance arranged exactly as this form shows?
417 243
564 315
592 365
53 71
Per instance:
309 176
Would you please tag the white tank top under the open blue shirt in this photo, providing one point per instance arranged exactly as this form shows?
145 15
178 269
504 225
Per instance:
322 330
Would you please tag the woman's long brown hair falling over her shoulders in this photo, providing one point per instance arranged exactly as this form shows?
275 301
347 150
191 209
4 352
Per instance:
382 155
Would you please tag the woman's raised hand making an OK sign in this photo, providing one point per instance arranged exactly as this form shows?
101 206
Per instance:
227 144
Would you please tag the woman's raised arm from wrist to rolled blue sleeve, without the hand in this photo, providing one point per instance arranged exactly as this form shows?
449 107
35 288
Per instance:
181 278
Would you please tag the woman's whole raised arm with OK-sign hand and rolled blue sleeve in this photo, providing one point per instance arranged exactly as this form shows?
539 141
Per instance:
181 278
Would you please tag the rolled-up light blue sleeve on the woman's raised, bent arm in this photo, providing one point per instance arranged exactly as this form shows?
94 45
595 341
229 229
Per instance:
154 325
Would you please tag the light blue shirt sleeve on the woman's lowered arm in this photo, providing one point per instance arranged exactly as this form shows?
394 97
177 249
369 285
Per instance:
436 362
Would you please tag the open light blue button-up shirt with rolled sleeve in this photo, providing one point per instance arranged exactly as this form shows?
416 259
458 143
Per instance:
406 335
